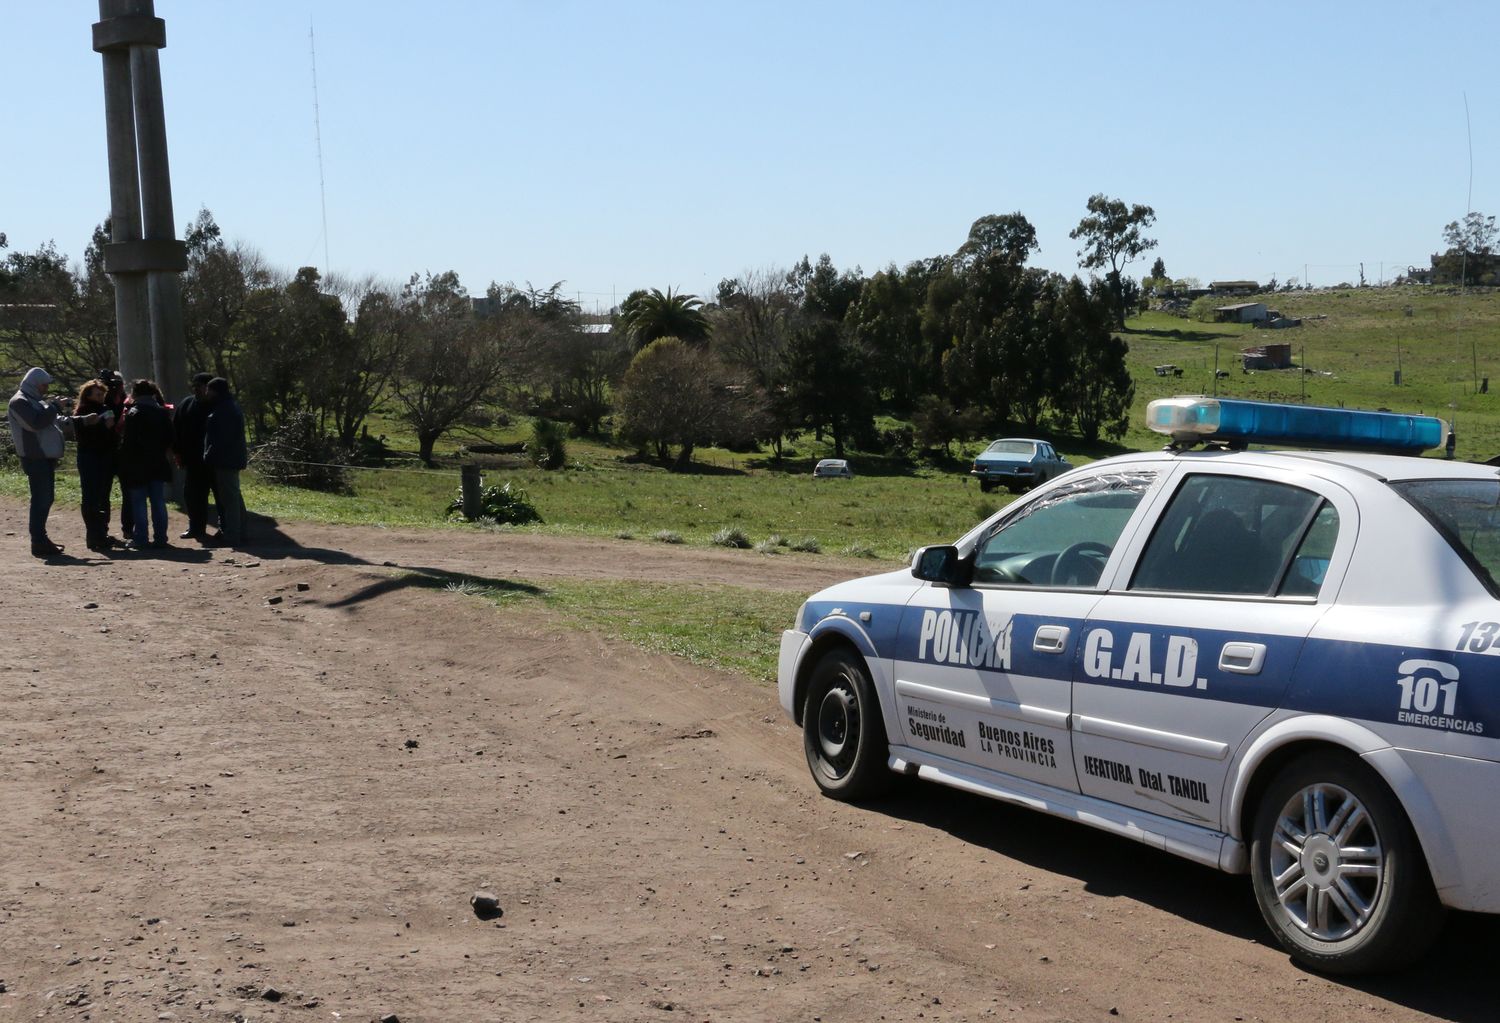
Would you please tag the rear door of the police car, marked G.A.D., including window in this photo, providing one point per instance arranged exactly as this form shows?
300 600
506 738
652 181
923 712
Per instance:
1198 647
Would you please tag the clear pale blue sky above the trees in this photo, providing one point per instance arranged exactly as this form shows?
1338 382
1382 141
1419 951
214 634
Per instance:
653 145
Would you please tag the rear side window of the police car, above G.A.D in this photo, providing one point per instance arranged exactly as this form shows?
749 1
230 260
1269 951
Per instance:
1226 535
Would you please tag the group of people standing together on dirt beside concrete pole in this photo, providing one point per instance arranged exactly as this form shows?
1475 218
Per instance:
134 437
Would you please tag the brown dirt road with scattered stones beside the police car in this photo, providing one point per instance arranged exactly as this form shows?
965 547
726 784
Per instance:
211 800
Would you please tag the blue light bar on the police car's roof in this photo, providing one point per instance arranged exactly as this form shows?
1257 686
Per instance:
1238 422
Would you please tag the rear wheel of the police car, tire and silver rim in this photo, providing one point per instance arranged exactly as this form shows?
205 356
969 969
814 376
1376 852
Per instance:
1339 871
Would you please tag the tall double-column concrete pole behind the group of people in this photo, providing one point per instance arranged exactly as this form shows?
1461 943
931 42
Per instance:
143 256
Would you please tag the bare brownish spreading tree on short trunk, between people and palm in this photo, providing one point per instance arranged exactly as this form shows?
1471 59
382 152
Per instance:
454 361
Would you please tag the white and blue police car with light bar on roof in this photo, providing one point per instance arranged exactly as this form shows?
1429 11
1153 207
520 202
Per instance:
1276 662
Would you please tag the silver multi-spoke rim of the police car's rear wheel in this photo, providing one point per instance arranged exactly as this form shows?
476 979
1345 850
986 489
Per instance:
1327 863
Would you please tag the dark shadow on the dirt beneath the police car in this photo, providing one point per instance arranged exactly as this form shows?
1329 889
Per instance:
1456 982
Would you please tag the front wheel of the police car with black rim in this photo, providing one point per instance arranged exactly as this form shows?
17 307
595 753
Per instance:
844 734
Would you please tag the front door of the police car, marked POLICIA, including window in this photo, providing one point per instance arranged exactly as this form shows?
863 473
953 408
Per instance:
985 671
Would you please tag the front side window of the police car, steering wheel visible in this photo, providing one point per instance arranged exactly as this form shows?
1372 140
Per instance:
1066 538
